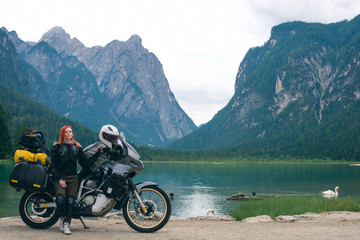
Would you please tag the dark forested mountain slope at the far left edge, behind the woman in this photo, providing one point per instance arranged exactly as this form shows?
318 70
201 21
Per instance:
18 100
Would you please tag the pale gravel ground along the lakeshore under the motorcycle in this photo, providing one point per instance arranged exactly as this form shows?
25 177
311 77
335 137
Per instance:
331 225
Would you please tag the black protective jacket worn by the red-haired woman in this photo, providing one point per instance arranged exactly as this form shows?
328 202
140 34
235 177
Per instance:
64 160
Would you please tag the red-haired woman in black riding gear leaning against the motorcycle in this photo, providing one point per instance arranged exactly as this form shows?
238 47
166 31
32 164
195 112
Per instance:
64 157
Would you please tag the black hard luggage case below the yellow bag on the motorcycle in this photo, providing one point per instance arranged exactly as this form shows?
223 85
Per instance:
30 177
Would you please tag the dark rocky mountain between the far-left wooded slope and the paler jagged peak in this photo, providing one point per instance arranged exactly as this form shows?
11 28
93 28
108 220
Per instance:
63 83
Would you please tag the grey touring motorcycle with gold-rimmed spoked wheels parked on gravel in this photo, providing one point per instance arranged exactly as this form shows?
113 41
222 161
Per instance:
109 185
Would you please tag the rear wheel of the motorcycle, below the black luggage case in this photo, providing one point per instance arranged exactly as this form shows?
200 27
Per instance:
38 210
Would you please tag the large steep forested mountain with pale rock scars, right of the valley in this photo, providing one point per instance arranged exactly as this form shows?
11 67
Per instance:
298 94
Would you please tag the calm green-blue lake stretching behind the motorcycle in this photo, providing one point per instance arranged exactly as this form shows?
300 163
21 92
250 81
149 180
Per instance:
200 186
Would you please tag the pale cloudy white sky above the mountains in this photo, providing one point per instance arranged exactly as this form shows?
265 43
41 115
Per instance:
200 43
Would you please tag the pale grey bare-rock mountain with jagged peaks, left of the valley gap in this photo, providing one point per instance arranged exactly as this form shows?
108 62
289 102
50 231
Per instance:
133 81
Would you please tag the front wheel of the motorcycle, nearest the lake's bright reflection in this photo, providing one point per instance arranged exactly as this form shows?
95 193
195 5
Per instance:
158 210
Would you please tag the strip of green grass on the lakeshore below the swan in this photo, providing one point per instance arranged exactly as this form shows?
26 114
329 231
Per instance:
294 205
